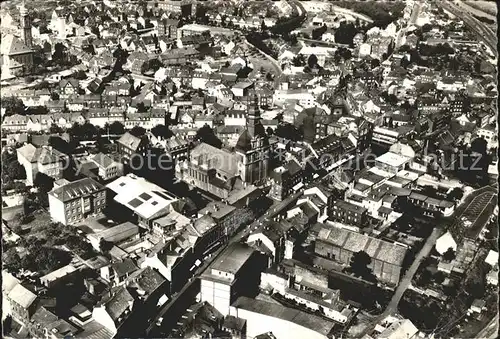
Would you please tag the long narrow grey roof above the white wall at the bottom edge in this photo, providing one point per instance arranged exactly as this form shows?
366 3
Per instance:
307 320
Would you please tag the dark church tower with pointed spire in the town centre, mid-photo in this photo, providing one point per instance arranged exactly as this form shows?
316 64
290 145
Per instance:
253 148
